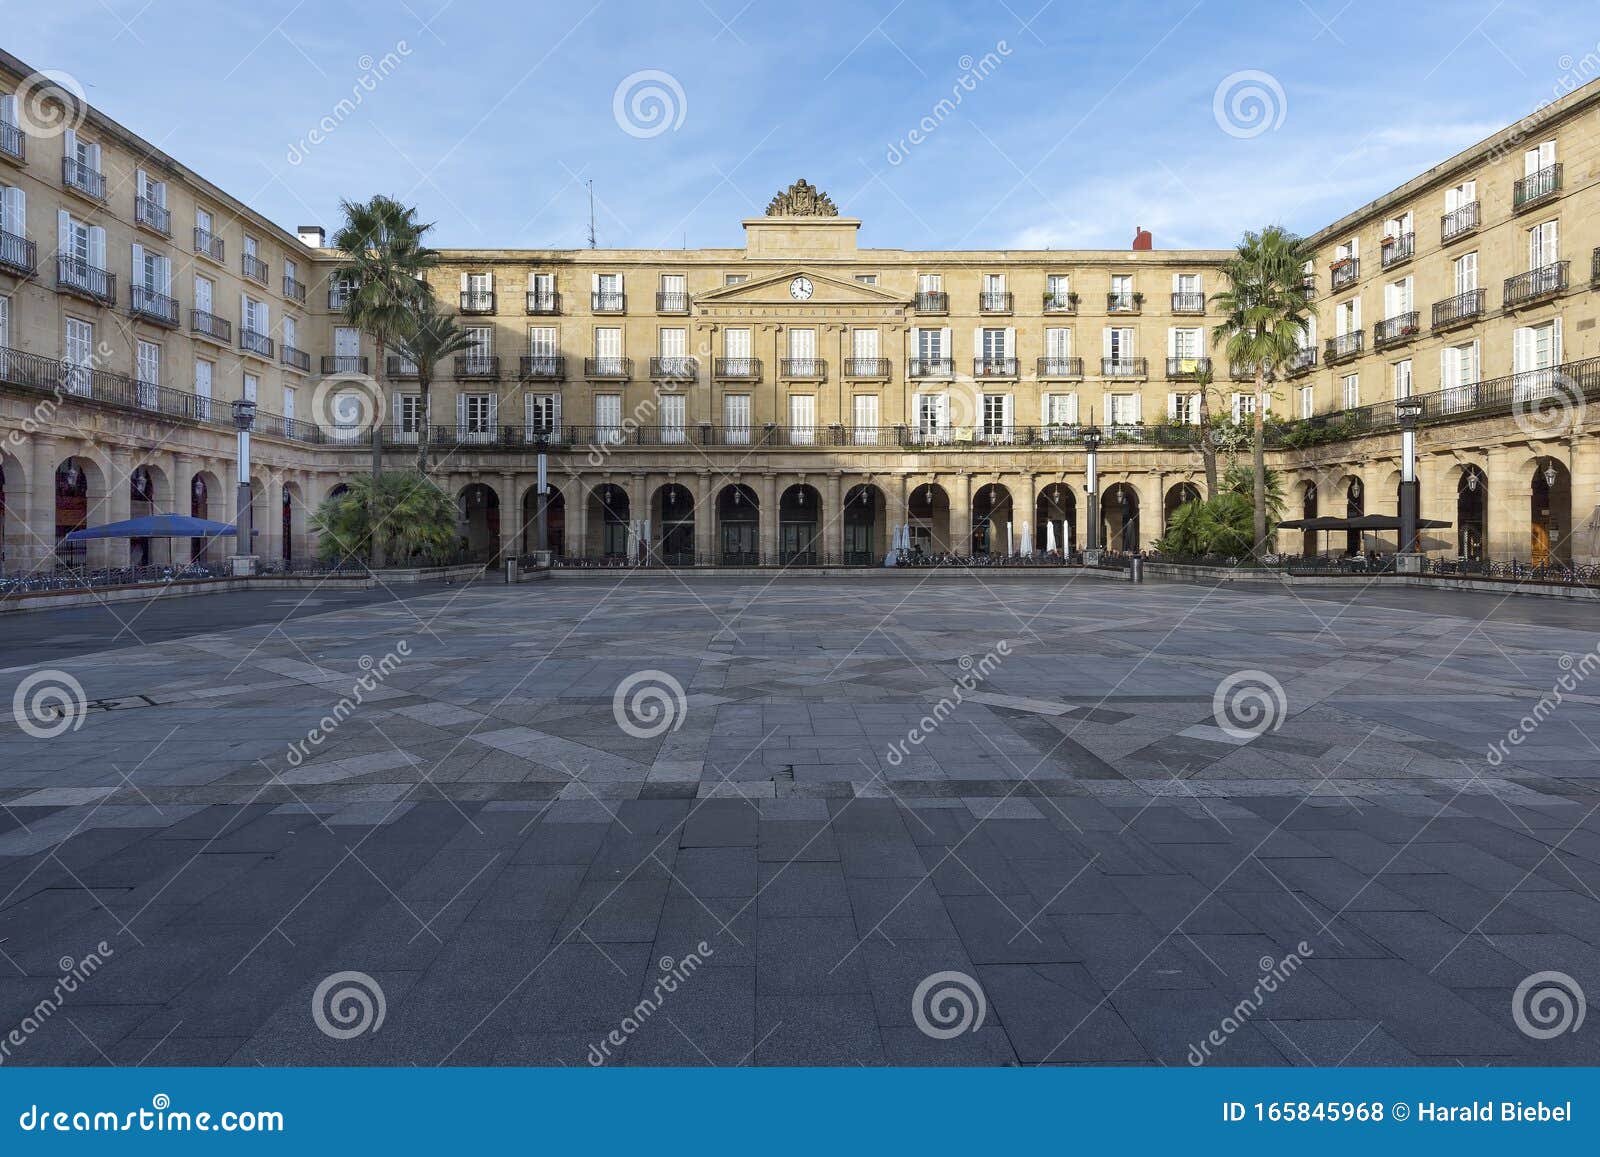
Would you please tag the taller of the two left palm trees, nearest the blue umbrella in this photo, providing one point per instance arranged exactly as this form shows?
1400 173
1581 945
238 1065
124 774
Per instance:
385 268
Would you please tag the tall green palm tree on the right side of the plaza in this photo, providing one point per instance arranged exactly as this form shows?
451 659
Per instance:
1266 316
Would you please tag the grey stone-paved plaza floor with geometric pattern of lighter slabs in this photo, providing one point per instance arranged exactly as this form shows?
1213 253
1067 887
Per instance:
890 820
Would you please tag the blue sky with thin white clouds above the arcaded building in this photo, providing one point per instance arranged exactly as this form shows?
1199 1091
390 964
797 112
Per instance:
1090 119
